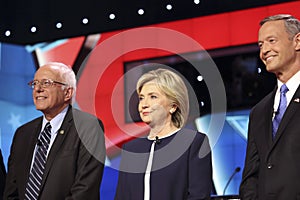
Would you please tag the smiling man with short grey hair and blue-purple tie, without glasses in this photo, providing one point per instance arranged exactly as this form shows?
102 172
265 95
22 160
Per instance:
272 164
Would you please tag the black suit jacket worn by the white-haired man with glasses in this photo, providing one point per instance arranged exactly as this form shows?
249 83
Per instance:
73 169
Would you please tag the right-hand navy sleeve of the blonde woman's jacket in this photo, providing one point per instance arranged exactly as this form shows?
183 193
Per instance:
200 169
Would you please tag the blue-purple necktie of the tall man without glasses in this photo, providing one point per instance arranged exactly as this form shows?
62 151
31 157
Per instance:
281 108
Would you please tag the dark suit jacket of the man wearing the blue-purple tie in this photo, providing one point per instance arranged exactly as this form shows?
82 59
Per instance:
272 166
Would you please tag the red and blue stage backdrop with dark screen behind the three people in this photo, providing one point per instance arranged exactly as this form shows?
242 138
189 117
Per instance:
102 61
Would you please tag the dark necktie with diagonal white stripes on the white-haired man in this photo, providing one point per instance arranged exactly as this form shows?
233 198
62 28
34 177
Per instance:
36 174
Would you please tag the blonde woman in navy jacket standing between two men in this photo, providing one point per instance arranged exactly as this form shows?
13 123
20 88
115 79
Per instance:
171 163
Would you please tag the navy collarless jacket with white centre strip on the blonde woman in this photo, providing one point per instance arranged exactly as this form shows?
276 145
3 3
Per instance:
181 170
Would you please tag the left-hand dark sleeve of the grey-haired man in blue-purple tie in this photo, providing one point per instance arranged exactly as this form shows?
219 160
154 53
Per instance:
248 187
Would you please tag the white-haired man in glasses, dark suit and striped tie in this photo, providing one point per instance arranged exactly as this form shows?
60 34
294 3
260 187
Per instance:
72 147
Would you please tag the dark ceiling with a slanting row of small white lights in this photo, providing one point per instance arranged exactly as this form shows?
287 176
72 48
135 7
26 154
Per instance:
18 16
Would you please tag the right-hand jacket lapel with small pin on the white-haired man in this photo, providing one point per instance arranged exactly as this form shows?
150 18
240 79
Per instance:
60 137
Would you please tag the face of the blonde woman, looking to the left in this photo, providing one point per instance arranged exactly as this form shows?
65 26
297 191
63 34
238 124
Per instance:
154 106
